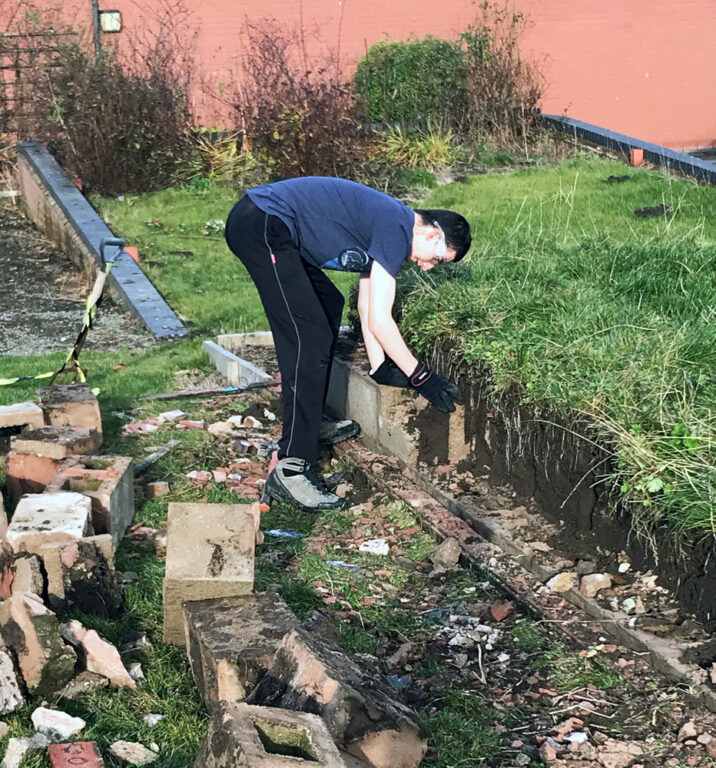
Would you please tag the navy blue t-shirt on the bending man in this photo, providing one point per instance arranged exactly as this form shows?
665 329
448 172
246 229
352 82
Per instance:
339 224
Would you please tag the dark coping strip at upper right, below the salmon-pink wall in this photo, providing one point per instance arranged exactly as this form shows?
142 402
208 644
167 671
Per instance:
654 153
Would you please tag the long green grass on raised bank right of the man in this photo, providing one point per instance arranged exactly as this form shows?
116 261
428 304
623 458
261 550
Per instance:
590 310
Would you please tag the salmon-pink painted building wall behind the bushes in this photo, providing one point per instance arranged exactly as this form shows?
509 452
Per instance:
641 67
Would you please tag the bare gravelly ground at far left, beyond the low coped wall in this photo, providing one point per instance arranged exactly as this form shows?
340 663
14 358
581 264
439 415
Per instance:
43 294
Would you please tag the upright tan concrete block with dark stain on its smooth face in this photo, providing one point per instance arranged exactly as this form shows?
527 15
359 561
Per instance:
210 553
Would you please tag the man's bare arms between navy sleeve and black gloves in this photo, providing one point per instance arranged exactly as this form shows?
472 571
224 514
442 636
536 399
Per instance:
381 326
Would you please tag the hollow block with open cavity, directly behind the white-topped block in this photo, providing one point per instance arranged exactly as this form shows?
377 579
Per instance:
109 482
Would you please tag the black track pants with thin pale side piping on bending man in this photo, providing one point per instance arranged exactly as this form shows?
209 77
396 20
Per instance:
304 311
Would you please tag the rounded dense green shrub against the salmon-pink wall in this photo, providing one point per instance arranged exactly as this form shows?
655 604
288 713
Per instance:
416 80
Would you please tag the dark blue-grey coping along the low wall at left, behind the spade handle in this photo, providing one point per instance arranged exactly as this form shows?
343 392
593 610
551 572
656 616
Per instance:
126 279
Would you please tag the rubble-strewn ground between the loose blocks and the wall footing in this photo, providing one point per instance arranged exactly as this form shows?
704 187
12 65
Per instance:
448 640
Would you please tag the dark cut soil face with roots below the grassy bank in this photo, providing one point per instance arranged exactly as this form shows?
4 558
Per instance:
560 467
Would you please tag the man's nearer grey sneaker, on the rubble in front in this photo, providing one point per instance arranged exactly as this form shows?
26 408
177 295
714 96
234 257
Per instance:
305 489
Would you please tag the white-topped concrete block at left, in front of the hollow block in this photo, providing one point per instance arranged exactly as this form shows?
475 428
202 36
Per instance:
44 518
